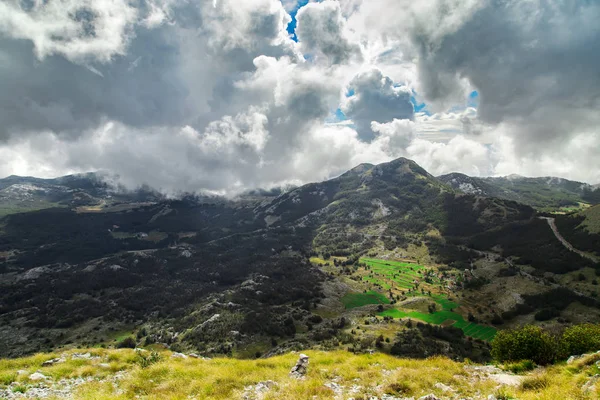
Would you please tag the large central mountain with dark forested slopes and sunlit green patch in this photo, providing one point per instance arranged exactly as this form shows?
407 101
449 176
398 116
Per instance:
274 271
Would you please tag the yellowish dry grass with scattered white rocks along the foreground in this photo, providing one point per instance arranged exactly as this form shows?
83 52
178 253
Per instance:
226 378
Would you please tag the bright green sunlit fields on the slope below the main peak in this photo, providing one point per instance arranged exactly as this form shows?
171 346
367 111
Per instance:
399 275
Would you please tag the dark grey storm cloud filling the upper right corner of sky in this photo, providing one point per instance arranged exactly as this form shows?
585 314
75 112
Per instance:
534 64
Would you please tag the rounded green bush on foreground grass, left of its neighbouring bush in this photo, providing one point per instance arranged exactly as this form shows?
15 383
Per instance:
526 343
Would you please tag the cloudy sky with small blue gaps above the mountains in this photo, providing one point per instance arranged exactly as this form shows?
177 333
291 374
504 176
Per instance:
222 96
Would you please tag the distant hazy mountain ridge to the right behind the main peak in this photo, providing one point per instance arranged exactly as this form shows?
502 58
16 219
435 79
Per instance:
542 193
